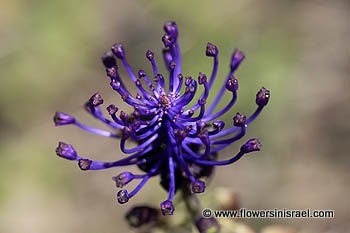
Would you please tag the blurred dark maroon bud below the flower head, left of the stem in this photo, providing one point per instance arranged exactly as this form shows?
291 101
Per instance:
141 215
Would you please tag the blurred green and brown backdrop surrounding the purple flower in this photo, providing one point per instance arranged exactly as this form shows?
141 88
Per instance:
49 60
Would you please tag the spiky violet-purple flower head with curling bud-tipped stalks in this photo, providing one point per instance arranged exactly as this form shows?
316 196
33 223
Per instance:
177 138
